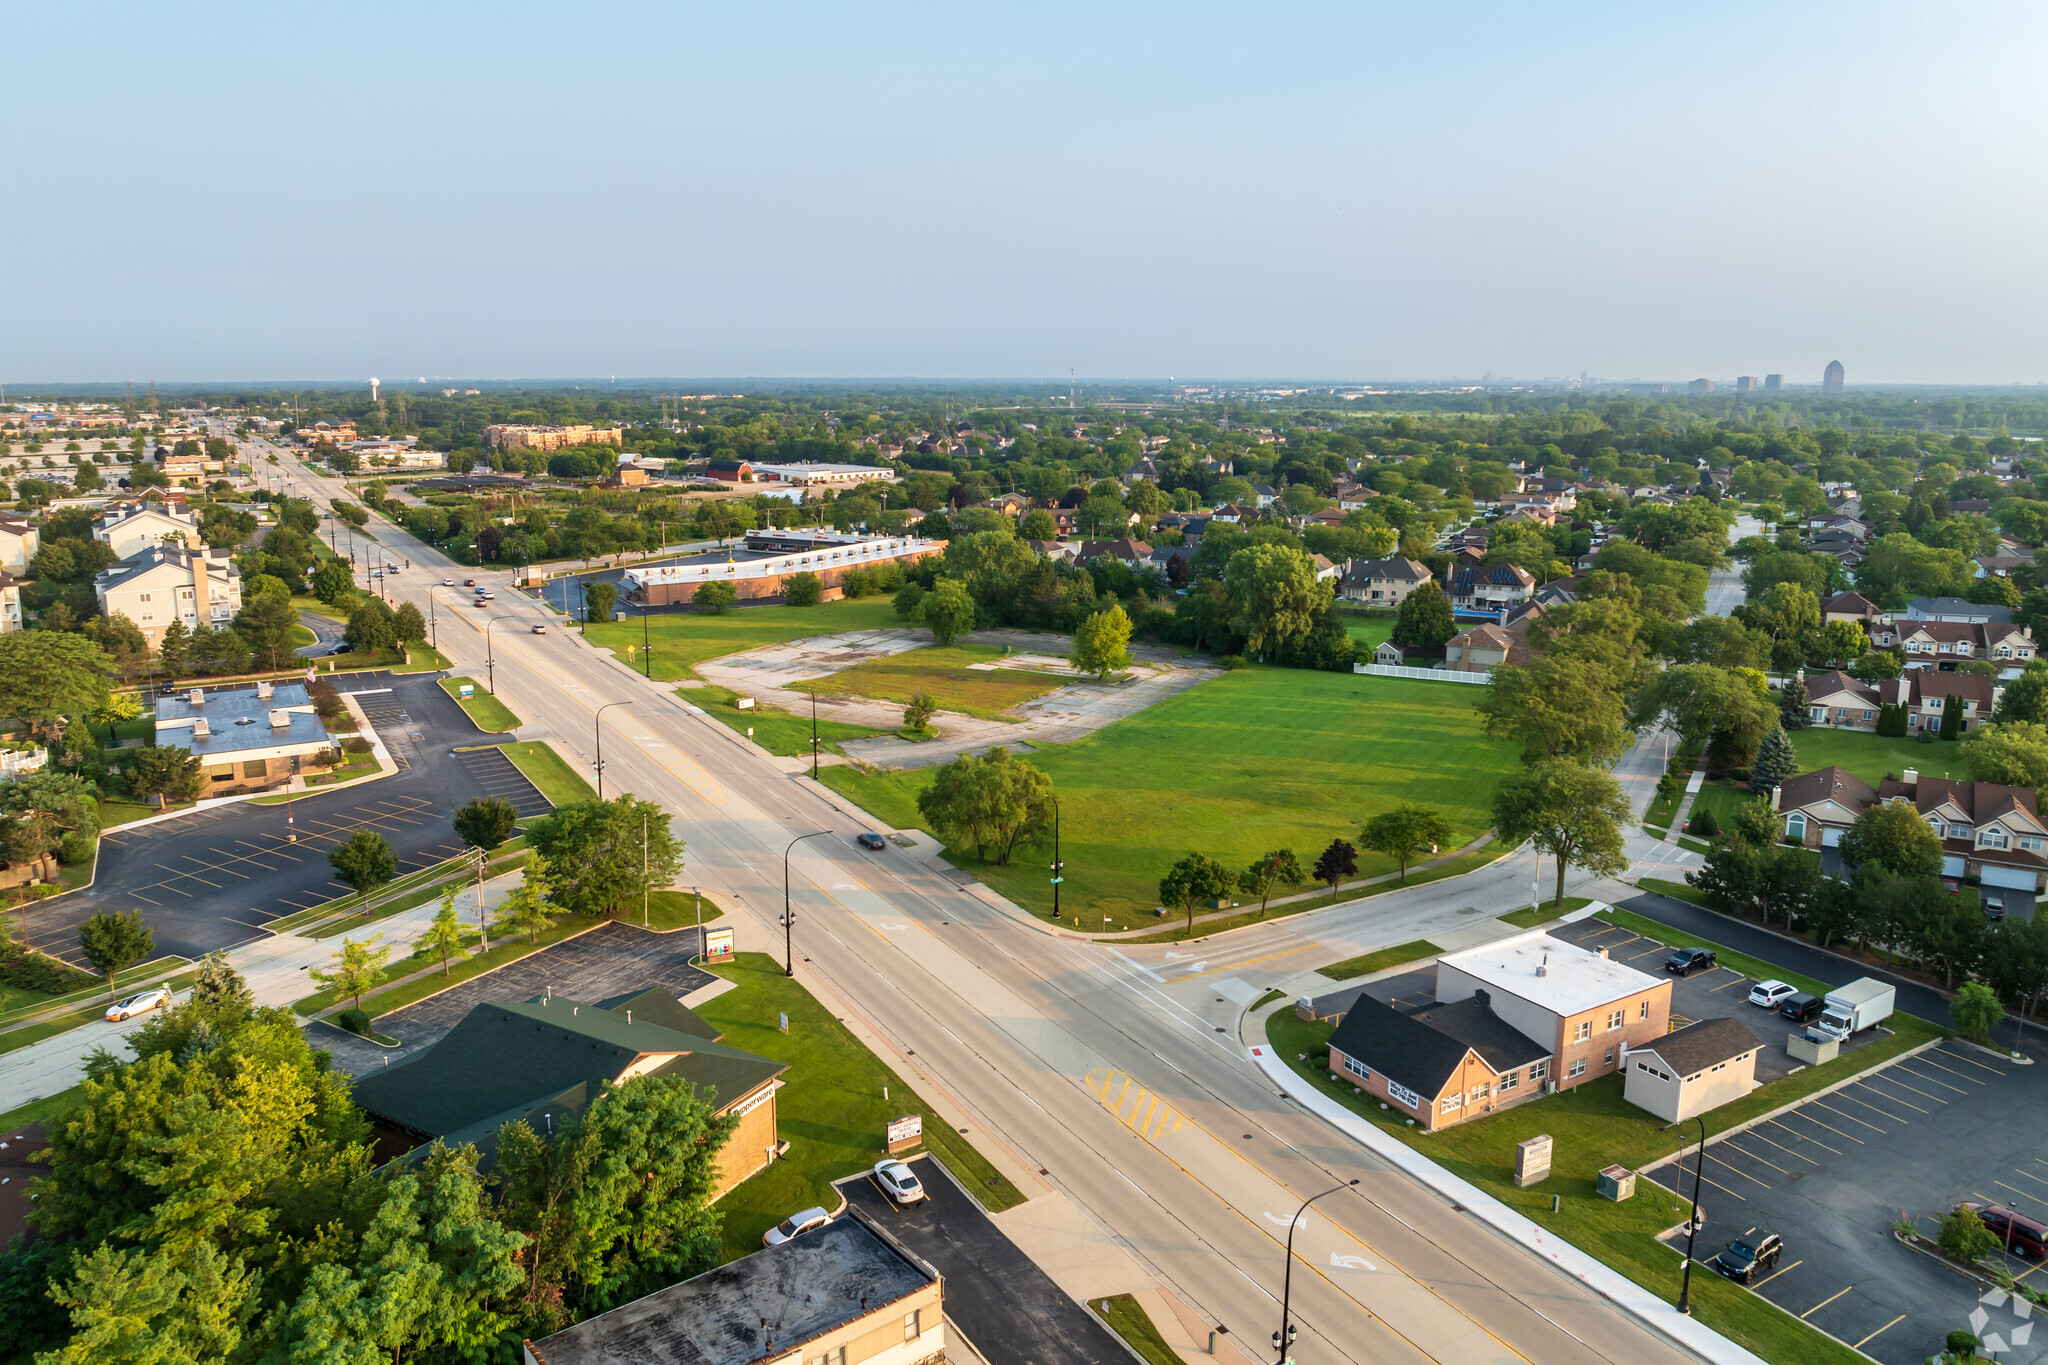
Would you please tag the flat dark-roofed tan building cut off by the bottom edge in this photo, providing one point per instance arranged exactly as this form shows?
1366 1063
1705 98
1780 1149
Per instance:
843 1294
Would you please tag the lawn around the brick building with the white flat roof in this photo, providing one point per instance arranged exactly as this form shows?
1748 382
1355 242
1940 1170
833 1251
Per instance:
1594 1127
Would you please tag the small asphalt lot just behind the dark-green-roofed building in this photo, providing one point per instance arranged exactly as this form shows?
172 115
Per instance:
595 967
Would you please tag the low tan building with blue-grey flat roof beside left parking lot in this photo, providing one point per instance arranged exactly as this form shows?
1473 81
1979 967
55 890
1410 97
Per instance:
247 740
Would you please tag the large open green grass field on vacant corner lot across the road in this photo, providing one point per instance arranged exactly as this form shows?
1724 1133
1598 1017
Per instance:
1250 762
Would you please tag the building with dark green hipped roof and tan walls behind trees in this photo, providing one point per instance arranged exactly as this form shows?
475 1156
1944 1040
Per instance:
550 1059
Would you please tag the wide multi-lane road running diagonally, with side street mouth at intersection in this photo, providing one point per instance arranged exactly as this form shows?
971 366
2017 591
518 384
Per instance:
1109 1077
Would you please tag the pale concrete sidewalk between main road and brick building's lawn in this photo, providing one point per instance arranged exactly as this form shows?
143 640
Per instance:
1607 1282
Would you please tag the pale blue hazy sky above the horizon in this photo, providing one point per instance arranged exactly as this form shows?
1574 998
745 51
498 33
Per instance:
1258 191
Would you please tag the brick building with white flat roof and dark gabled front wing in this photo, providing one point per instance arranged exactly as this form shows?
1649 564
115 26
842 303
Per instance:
1510 1020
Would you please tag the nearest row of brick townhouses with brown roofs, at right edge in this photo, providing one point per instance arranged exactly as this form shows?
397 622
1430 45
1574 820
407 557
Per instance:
1990 832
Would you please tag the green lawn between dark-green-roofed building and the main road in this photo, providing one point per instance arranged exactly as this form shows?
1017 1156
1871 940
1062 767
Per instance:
830 1108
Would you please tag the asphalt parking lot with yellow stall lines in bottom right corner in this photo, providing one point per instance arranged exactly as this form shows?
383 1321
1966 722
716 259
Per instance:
1836 1174
